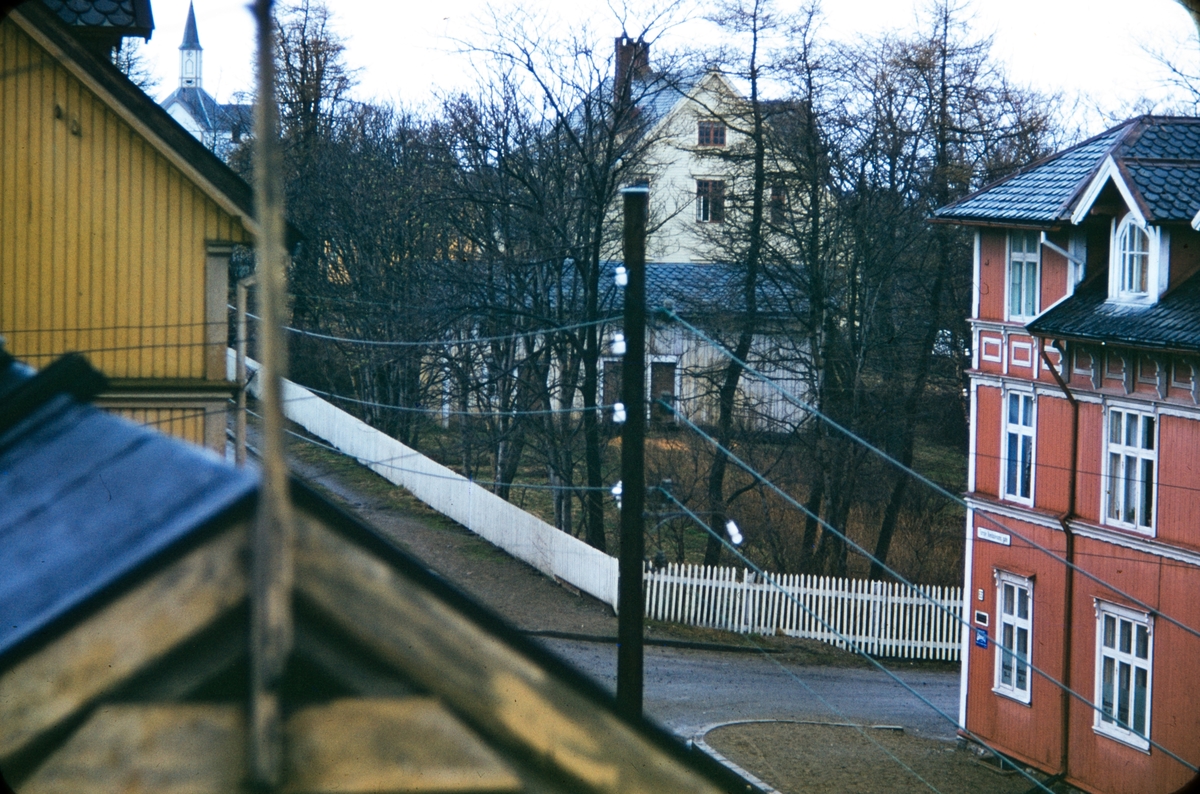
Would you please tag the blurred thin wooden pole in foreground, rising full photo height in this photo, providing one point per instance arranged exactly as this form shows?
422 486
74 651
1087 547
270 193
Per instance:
272 545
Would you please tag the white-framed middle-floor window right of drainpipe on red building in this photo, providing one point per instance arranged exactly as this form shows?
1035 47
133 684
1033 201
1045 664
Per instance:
1130 466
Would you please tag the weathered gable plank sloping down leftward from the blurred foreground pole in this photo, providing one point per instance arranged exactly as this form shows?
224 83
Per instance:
139 629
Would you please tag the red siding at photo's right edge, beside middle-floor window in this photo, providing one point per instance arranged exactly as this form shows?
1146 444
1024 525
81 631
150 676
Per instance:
1179 484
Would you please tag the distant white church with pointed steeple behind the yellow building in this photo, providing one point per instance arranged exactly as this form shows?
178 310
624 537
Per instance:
218 127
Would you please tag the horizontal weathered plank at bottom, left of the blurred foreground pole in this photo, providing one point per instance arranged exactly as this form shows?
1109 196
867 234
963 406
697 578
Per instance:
178 749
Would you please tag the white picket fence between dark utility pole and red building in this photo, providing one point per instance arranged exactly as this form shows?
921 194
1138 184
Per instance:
881 618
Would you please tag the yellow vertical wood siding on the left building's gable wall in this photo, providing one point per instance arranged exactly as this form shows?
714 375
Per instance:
103 239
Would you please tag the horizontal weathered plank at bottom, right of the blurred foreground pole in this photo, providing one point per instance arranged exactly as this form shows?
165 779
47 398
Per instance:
388 745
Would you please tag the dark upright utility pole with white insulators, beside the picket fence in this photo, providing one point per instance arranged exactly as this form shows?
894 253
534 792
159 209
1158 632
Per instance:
631 605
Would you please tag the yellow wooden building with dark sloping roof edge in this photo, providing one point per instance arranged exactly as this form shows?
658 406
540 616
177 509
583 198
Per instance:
116 231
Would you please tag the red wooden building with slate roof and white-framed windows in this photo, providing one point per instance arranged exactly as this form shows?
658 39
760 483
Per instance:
1085 441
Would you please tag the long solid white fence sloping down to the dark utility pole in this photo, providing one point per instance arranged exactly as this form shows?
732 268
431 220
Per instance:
523 536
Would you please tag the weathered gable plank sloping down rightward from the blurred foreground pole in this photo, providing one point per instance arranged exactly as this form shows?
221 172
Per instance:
505 695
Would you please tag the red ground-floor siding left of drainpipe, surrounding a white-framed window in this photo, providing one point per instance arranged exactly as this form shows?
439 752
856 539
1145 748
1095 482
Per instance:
1029 732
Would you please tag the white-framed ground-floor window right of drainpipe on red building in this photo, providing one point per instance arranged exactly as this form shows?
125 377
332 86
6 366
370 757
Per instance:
1125 646
